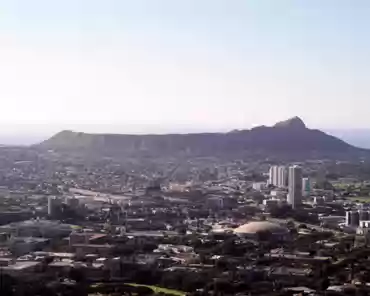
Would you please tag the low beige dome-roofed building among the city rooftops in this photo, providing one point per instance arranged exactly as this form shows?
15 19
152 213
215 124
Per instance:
269 230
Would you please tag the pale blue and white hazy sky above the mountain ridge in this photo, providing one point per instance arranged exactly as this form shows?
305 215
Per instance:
182 65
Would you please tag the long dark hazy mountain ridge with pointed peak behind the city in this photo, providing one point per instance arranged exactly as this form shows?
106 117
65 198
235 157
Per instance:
290 138
